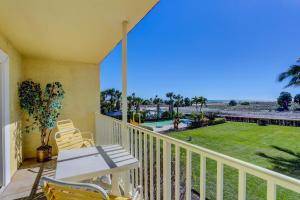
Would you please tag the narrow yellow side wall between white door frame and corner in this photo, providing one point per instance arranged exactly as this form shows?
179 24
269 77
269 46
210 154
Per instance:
15 73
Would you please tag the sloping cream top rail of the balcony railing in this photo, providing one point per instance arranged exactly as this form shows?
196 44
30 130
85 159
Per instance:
263 173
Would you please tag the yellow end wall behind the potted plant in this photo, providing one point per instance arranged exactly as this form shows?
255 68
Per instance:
81 84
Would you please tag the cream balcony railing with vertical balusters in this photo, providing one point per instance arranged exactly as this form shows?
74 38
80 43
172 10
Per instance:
163 159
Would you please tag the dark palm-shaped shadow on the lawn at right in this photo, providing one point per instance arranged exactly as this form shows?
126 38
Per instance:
289 166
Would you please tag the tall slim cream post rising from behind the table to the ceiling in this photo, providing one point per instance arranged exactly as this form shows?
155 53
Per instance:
125 135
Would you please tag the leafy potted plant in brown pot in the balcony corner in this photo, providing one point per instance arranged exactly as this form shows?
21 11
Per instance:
42 109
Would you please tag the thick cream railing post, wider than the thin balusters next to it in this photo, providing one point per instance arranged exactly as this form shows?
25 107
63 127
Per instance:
166 170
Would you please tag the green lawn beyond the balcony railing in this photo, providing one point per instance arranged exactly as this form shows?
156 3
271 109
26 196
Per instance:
251 143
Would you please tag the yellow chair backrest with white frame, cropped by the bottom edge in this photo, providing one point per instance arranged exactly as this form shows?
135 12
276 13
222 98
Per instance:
61 190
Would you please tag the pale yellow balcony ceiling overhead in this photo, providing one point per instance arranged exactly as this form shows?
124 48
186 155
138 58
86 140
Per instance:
71 30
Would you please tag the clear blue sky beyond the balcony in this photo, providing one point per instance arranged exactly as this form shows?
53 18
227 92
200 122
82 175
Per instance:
220 49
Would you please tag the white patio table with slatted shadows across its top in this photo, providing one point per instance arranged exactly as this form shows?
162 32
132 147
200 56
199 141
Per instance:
86 163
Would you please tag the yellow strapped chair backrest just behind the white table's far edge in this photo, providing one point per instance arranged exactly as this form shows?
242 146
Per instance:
69 139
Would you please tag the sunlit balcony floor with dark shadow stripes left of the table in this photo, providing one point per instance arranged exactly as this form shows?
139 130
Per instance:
24 183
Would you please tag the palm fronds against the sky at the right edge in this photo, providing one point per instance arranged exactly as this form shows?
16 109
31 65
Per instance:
293 73
